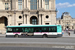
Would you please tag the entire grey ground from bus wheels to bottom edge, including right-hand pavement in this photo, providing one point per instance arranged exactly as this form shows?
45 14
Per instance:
62 43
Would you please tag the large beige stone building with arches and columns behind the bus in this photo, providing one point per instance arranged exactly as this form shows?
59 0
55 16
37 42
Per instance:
37 12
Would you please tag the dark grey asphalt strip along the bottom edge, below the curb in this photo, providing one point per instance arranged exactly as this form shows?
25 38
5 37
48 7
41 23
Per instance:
31 48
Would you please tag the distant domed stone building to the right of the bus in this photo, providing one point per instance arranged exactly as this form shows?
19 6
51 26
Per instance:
66 21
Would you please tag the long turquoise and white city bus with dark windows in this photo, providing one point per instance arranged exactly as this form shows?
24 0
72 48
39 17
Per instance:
34 30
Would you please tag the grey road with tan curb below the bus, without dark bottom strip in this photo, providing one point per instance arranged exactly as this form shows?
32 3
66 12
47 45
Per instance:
68 43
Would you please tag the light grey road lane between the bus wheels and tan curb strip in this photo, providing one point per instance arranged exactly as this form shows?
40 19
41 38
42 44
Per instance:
39 40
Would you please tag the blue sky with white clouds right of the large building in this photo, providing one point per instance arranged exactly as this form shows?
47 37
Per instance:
65 6
